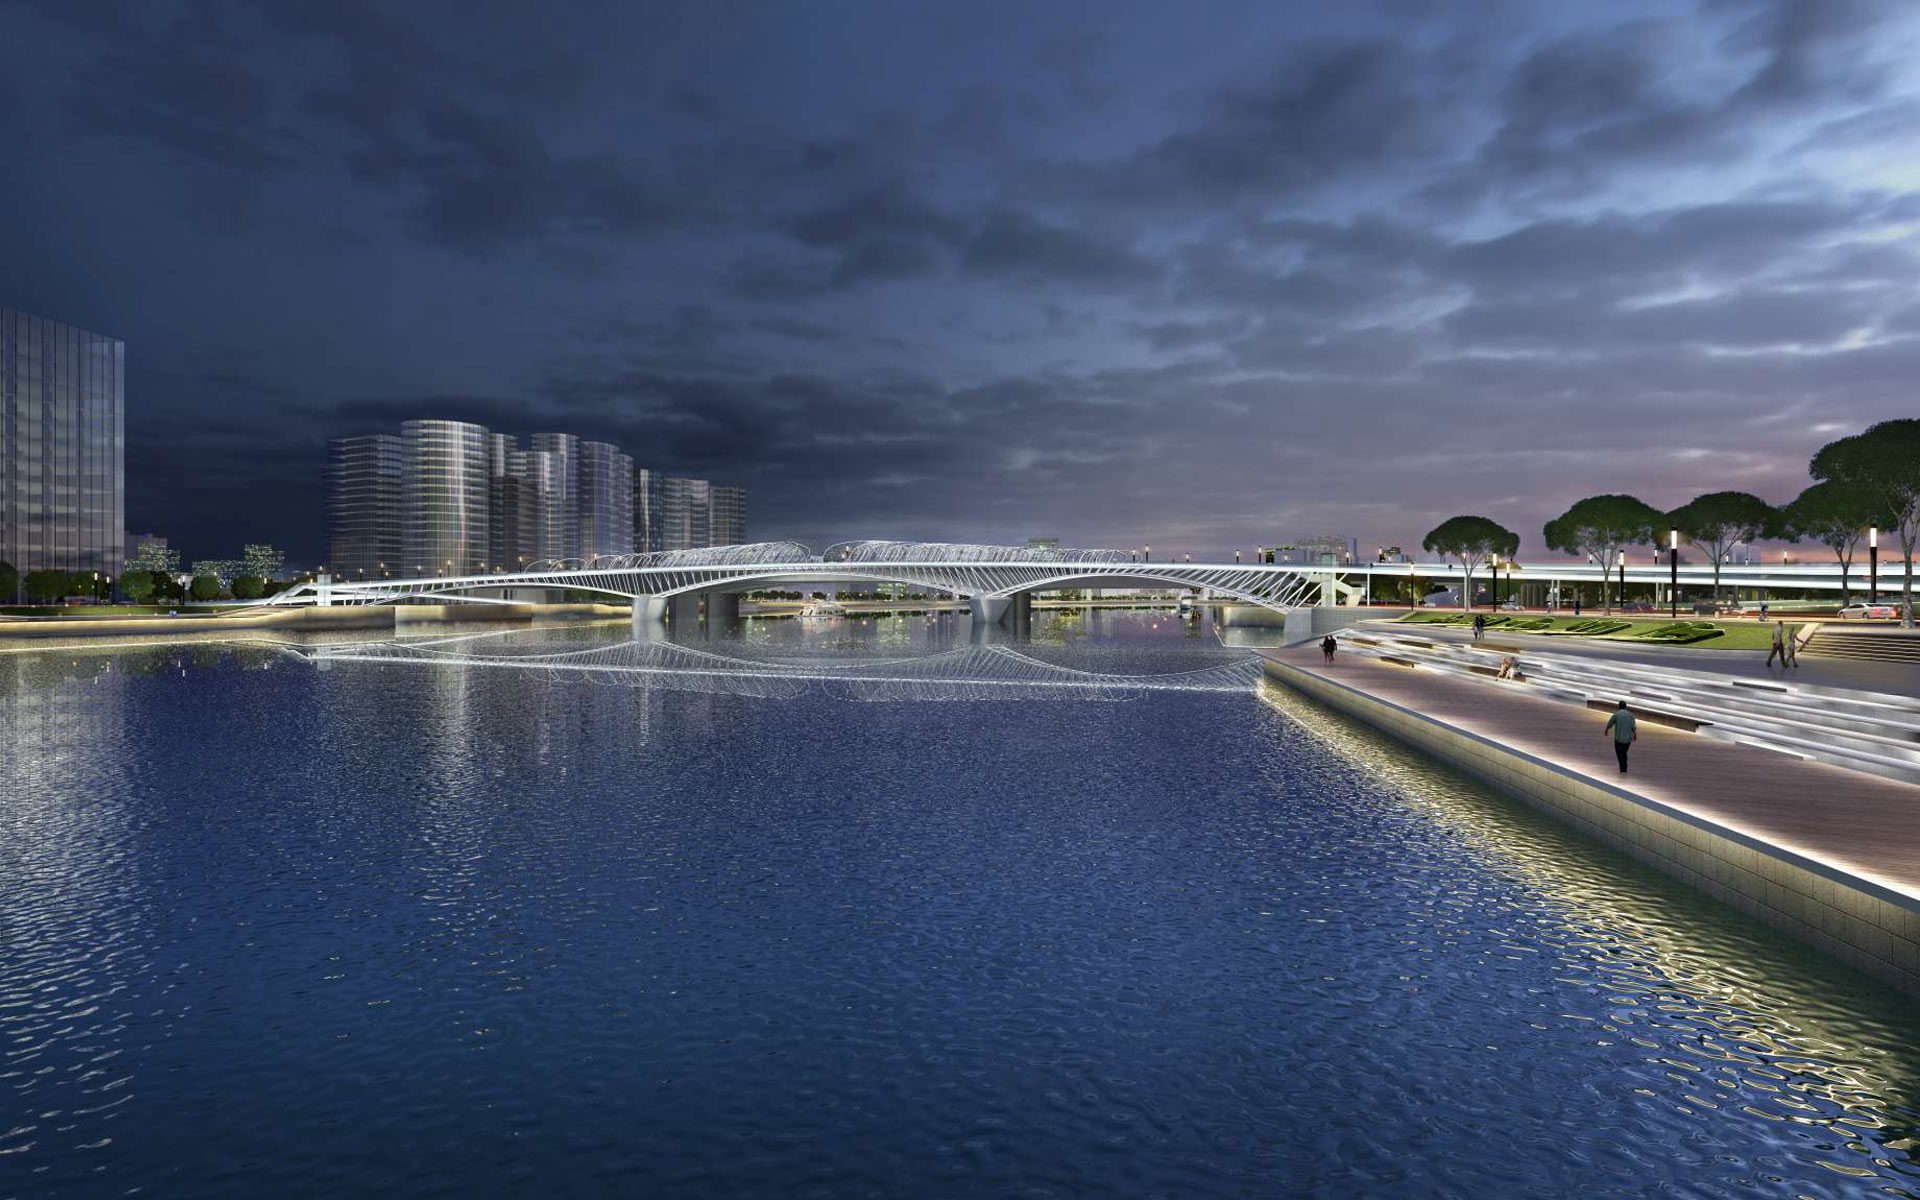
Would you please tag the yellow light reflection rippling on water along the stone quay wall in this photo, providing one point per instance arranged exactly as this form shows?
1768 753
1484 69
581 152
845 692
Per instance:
1723 1011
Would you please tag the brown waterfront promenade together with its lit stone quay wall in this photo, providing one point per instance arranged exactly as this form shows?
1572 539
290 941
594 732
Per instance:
1819 852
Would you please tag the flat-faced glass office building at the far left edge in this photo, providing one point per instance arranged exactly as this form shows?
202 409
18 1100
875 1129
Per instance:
62 446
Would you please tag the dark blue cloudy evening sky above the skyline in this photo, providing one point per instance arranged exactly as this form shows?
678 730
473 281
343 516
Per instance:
1195 276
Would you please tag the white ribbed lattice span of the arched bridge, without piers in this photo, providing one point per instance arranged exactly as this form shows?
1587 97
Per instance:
963 571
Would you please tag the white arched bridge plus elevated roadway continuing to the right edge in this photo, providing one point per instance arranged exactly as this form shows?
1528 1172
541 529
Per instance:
997 579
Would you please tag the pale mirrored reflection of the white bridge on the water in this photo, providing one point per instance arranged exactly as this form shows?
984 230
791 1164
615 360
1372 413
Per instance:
972 673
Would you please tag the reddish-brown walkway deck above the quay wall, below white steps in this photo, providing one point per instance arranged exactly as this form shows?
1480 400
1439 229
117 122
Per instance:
1861 825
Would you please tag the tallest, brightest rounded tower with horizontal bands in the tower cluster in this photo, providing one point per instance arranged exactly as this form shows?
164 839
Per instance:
446 504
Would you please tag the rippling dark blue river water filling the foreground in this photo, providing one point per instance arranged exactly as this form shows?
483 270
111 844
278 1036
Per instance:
859 909
